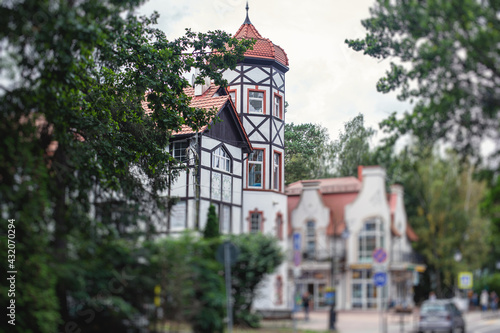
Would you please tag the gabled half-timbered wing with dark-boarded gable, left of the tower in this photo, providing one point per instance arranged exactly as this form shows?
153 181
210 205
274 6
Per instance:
214 157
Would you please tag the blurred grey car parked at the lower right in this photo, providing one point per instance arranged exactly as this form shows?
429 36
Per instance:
440 316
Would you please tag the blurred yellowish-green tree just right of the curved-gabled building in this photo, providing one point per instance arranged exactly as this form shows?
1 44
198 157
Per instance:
446 217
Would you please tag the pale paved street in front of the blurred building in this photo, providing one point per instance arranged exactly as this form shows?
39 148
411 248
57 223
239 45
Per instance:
369 322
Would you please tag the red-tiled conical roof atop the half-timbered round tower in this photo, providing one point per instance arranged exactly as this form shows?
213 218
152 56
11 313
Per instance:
263 47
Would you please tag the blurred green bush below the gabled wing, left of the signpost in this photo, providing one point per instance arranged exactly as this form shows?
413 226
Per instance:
192 288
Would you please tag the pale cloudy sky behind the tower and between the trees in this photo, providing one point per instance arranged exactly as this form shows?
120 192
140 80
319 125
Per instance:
327 83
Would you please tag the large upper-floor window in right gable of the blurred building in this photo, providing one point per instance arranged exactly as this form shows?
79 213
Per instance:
370 238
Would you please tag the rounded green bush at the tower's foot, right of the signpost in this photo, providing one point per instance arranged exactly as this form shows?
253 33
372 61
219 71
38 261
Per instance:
259 255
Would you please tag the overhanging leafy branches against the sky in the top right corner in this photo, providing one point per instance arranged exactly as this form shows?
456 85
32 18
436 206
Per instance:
446 58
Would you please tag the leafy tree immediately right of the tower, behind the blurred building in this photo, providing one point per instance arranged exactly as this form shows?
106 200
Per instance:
306 152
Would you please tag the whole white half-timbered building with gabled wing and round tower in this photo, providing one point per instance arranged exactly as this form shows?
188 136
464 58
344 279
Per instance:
237 164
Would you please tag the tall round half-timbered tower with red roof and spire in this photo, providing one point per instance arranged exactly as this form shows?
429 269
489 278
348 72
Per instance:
257 88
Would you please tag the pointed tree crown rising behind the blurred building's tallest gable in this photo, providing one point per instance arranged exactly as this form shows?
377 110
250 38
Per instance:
352 147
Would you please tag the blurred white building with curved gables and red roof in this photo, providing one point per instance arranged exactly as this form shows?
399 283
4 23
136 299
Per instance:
341 222
